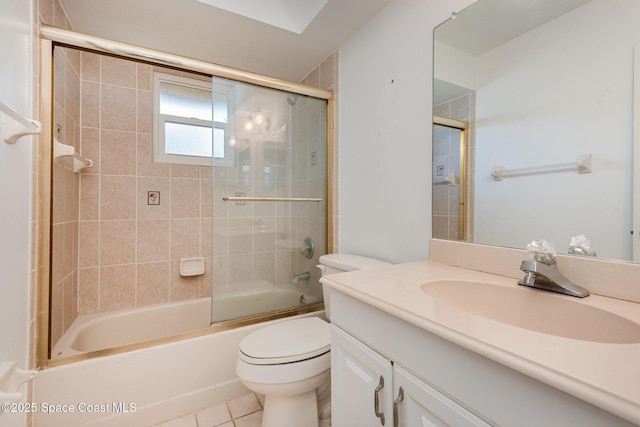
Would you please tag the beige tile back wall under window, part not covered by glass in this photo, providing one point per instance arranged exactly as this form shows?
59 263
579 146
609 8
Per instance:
130 250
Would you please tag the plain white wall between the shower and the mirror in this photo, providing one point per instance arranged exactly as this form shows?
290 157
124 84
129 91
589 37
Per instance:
385 131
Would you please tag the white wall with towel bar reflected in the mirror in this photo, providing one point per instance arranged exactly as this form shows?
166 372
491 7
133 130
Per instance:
570 83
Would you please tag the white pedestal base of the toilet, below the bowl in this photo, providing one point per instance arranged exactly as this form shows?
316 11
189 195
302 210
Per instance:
291 411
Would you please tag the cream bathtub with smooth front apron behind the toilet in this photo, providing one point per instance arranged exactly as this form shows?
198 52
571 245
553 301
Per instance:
148 385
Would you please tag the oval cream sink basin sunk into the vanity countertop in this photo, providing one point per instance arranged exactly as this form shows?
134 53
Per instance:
535 310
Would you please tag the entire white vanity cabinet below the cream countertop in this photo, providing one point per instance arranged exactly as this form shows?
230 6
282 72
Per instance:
443 384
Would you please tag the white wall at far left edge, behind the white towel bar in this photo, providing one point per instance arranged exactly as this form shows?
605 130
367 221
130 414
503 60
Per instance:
16 89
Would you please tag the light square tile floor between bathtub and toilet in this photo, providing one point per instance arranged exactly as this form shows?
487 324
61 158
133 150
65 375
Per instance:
244 411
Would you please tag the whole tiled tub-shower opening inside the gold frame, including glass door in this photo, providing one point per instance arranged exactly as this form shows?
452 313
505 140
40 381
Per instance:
122 228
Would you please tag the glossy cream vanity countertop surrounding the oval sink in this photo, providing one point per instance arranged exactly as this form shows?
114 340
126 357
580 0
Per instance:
606 375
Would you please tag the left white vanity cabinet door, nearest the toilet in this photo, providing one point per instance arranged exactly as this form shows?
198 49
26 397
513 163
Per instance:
361 384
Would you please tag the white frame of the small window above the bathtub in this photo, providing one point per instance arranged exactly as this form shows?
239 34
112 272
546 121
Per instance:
159 120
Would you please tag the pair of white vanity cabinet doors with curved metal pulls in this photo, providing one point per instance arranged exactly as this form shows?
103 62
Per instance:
371 390
